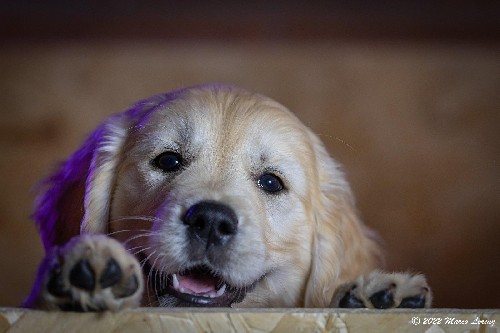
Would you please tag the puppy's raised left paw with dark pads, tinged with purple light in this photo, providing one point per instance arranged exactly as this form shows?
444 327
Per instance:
89 273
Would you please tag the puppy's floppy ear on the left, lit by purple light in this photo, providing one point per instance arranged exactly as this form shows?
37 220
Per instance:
78 194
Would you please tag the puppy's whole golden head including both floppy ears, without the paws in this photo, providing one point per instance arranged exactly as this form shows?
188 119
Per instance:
225 197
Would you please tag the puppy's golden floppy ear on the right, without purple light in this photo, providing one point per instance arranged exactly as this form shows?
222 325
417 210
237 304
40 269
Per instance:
343 248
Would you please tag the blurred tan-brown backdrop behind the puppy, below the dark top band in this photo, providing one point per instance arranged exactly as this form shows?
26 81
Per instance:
416 127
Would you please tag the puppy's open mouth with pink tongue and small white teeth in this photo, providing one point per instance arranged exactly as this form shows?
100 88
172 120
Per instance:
197 286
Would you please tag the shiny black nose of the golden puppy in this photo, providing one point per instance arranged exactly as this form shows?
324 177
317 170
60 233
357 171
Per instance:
211 222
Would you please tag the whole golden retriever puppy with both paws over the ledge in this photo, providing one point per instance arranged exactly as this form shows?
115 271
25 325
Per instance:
208 196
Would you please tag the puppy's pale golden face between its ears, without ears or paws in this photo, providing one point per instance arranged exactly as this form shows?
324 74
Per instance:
213 193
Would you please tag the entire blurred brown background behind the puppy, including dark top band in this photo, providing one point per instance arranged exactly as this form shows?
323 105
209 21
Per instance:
405 94
